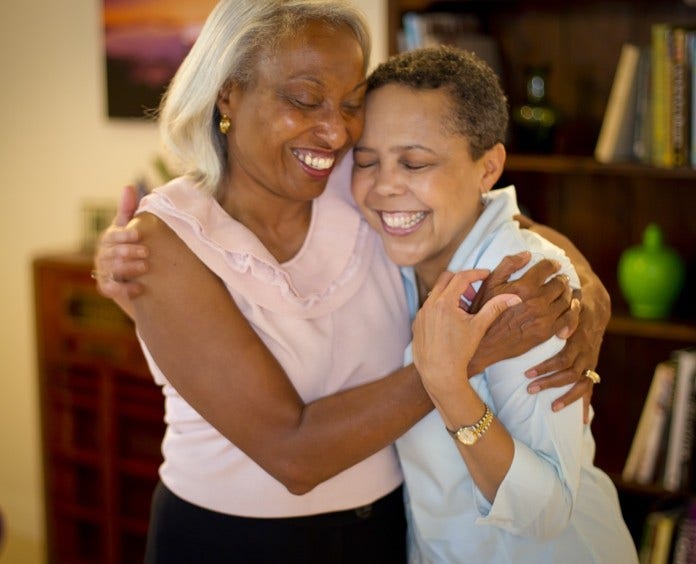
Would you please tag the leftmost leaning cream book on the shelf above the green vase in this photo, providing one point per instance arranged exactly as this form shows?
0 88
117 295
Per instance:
615 141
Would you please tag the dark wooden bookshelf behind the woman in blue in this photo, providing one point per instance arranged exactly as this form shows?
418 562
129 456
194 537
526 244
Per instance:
603 208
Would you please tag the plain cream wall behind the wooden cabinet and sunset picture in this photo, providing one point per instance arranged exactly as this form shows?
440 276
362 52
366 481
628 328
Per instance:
57 150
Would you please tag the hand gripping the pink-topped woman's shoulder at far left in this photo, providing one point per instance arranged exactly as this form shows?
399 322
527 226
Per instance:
118 258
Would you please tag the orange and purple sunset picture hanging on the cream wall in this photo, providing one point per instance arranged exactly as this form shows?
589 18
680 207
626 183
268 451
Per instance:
144 43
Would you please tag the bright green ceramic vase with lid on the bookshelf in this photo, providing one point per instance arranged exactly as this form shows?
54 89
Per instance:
651 276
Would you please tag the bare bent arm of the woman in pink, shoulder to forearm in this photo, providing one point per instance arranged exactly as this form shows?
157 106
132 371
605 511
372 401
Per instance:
220 366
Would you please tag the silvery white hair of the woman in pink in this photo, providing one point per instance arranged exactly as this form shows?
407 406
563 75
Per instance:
227 50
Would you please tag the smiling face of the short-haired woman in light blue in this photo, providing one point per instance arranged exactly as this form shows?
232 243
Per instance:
414 178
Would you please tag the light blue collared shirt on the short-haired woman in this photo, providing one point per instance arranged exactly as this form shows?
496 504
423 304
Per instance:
554 505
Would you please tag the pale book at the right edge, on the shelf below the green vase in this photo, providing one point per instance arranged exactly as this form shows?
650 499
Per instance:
681 434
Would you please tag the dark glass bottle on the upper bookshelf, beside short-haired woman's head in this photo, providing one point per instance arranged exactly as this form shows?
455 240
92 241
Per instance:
535 121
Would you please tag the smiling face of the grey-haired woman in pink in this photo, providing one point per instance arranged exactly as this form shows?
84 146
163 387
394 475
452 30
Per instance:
300 115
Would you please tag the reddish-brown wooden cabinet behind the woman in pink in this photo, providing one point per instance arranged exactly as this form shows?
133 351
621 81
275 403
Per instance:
102 419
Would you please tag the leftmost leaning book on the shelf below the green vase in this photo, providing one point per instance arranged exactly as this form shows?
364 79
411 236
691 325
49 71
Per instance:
643 453
